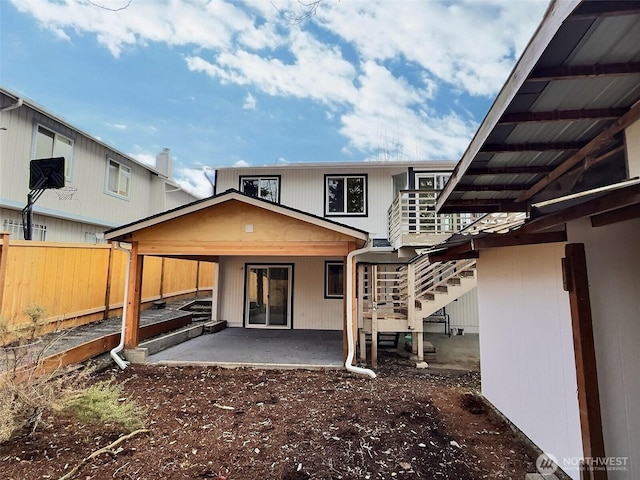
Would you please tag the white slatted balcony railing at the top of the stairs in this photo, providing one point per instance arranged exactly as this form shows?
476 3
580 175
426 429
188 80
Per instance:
412 216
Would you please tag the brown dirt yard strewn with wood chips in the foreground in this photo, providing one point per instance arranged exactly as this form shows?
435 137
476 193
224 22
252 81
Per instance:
265 424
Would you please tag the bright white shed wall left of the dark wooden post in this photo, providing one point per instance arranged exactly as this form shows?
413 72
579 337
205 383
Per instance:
526 345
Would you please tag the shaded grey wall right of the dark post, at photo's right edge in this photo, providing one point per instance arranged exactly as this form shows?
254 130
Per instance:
613 264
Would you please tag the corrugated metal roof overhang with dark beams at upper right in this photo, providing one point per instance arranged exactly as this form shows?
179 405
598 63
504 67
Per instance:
556 127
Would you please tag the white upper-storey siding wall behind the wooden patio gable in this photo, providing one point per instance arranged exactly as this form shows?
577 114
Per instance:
303 188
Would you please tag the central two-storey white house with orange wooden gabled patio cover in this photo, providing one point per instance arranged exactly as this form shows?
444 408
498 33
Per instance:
282 237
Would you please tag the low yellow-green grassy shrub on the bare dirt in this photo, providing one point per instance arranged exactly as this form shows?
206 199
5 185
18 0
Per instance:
103 402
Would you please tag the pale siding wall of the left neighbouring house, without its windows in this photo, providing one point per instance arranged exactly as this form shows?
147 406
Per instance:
91 204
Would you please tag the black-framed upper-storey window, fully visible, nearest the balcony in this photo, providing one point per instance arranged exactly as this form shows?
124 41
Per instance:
346 195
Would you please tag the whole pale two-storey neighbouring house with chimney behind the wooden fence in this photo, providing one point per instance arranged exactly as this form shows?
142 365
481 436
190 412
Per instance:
103 187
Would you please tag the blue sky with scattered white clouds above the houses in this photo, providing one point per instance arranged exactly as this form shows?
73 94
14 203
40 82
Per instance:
249 83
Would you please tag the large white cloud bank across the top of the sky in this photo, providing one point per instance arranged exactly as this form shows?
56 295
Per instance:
376 66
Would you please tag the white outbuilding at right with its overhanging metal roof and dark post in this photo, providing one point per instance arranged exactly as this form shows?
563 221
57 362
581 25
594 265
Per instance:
558 290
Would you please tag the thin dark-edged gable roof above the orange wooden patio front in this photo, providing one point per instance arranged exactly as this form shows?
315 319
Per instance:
121 233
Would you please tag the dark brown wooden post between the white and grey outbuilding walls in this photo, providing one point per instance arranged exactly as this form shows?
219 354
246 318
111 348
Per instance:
577 284
